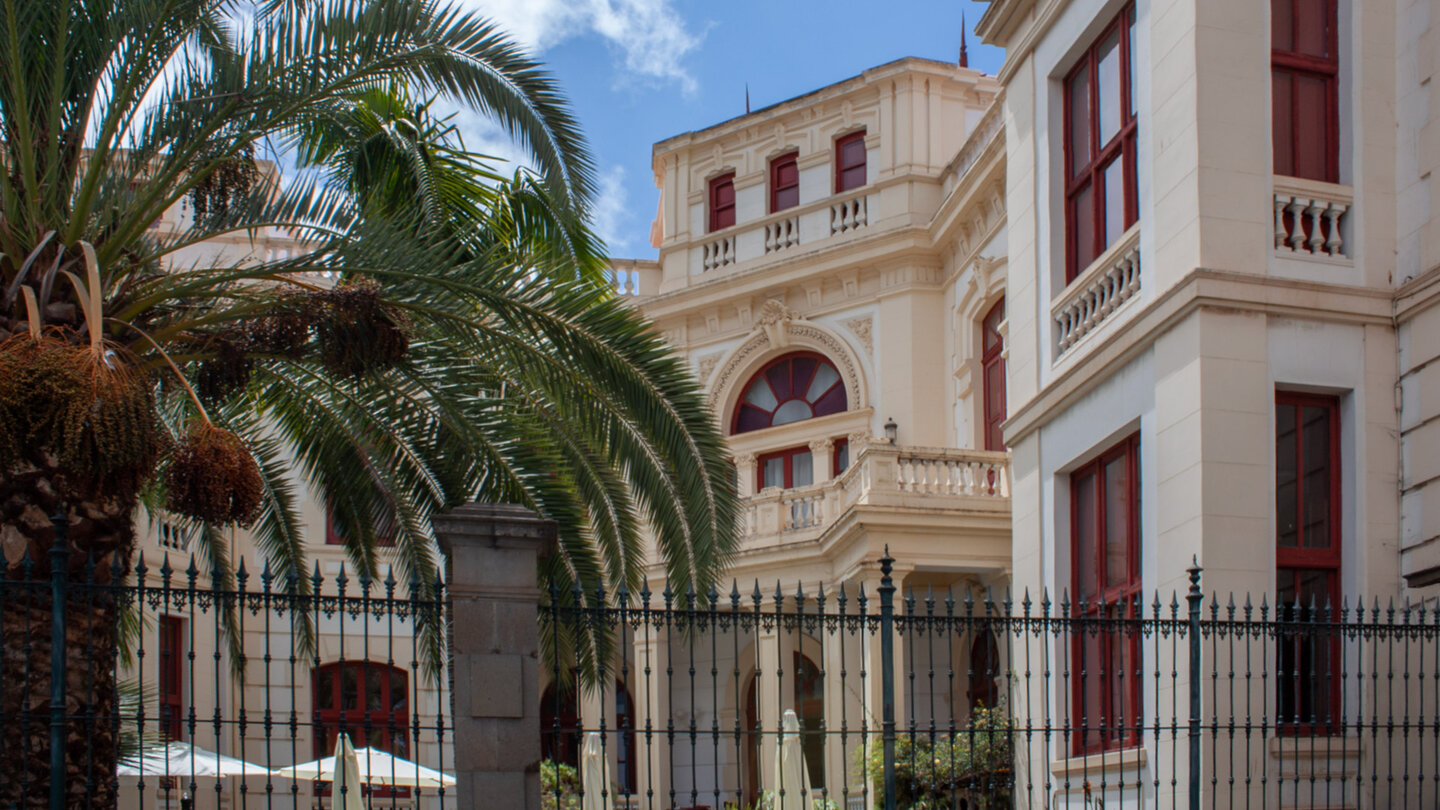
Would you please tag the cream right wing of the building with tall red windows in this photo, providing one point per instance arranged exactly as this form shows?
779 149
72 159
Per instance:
1266 269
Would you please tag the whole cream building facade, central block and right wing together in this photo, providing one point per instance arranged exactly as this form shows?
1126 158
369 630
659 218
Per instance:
1222 293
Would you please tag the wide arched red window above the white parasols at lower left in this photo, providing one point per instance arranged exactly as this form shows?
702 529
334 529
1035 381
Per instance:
368 727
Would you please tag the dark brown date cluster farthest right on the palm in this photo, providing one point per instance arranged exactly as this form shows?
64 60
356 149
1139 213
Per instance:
359 334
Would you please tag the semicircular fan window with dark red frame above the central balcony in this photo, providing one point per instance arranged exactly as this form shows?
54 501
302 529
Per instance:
793 388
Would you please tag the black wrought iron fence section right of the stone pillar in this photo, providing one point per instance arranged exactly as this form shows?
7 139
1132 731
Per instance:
942 700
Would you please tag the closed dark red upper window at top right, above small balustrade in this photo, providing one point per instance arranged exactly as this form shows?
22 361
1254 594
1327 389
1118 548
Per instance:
1301 148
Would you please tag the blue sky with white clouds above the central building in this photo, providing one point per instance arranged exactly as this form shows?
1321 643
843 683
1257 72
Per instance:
640 71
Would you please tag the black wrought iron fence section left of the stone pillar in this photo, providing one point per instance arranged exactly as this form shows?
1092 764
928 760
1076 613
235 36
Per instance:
133 685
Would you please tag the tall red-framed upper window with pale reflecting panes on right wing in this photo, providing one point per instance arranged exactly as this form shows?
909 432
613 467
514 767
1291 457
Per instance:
1101 188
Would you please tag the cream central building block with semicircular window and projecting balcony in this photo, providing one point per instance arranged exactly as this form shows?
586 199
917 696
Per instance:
888 277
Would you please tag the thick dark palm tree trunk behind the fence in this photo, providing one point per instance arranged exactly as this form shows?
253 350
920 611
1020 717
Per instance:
99 538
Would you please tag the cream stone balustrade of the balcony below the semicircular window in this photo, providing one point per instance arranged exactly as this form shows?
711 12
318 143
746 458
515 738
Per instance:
882 475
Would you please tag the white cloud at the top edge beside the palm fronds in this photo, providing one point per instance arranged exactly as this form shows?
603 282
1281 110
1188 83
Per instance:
650 34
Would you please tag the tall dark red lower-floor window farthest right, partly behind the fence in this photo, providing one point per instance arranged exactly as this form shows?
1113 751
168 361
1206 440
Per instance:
1310 655
